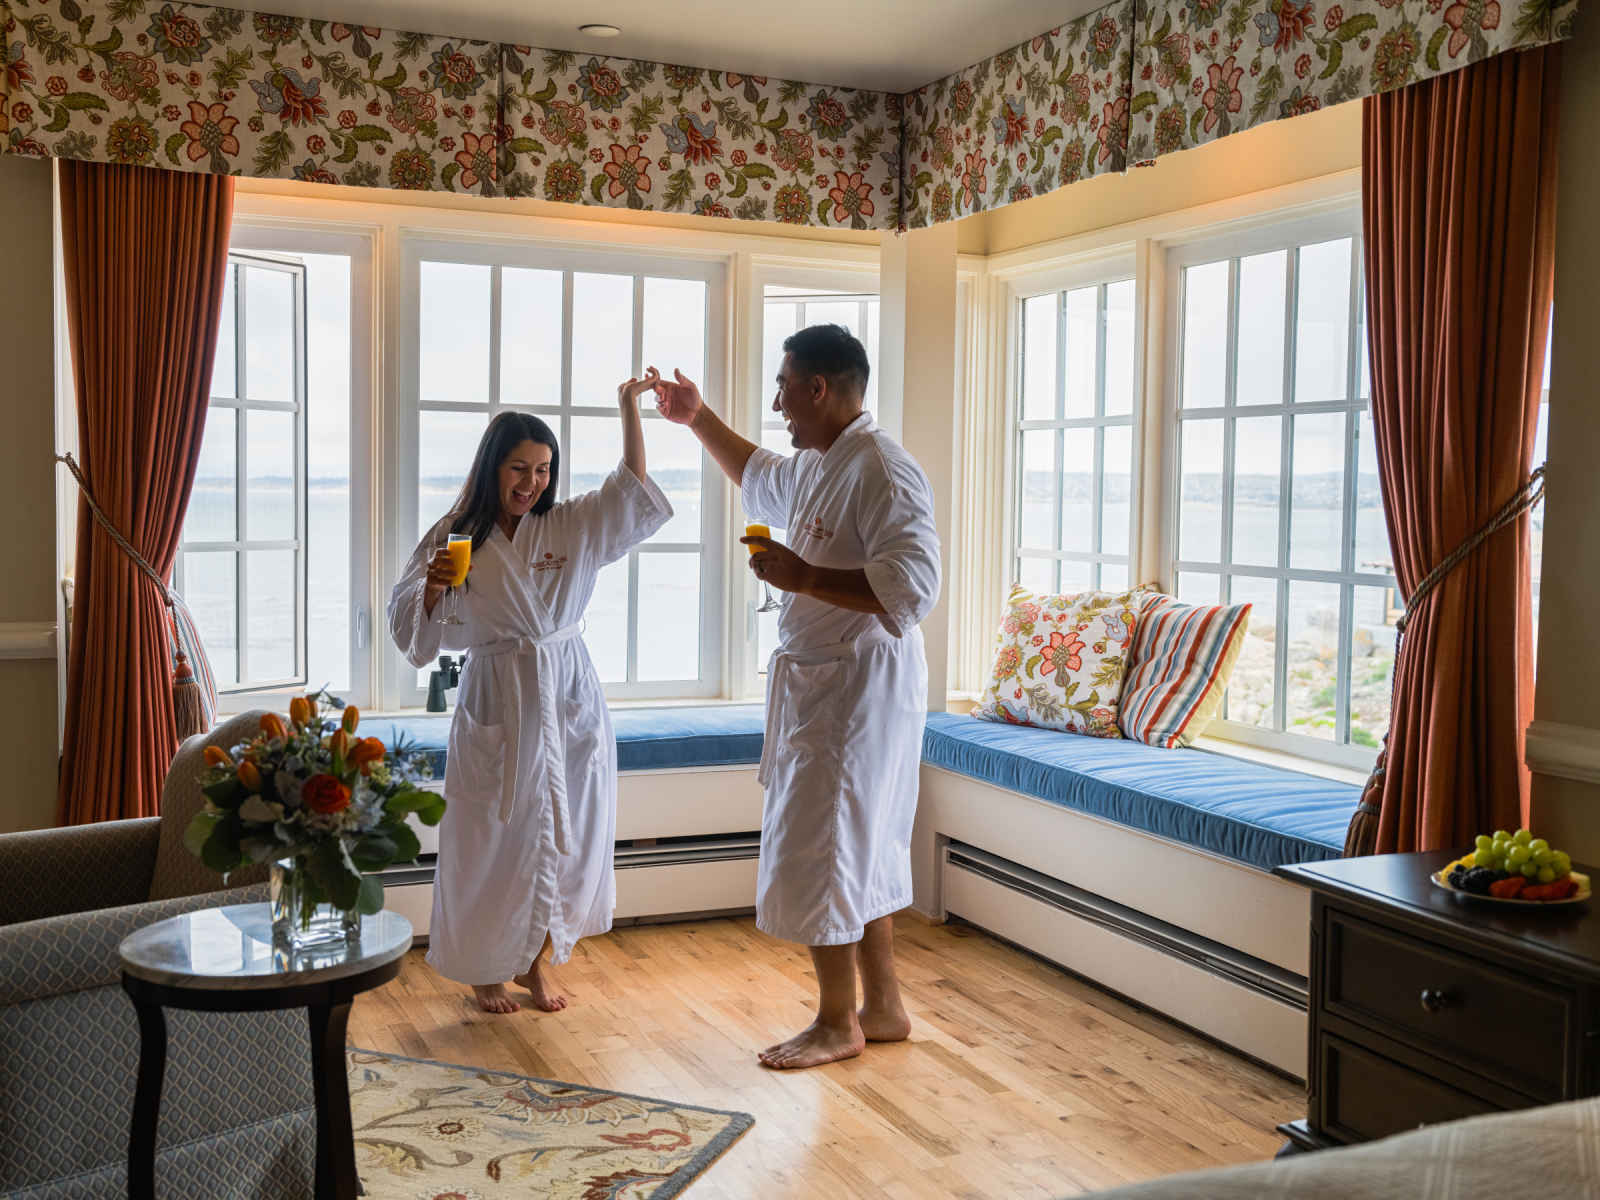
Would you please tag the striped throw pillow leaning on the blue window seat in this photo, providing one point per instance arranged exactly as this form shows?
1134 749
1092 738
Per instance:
1180 666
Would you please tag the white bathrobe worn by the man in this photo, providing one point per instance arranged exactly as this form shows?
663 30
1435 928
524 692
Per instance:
847 694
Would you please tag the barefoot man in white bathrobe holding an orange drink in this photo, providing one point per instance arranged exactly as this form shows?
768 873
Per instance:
849 686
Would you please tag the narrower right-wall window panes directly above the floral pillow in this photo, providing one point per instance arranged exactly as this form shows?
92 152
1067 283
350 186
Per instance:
1074 428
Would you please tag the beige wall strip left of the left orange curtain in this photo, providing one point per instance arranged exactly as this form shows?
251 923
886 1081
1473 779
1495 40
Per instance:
28 596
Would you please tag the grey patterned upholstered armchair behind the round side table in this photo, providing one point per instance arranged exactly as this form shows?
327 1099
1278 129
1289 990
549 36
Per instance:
238 1113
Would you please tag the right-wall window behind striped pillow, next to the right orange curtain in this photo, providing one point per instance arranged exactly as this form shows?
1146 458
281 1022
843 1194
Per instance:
1278 498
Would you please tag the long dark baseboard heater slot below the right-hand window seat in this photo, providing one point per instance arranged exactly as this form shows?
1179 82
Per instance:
1214 958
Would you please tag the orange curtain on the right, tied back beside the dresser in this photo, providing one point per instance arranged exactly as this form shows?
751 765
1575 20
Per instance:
1460 222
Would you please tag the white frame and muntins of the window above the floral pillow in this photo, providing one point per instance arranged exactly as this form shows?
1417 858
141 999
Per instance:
1095 271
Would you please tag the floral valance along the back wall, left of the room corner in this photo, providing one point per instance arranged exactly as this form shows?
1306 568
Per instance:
193 87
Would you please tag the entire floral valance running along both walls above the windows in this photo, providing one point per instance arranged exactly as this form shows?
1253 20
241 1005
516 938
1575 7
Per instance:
204 89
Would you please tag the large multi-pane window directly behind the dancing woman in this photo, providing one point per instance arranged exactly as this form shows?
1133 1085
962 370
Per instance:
554 334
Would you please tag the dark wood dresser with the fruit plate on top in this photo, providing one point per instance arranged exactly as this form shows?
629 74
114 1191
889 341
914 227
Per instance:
1426 1007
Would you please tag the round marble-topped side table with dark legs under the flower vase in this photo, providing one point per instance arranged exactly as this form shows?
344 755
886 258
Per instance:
223 961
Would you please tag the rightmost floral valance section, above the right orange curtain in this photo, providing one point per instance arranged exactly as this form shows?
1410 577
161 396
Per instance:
1210 68
